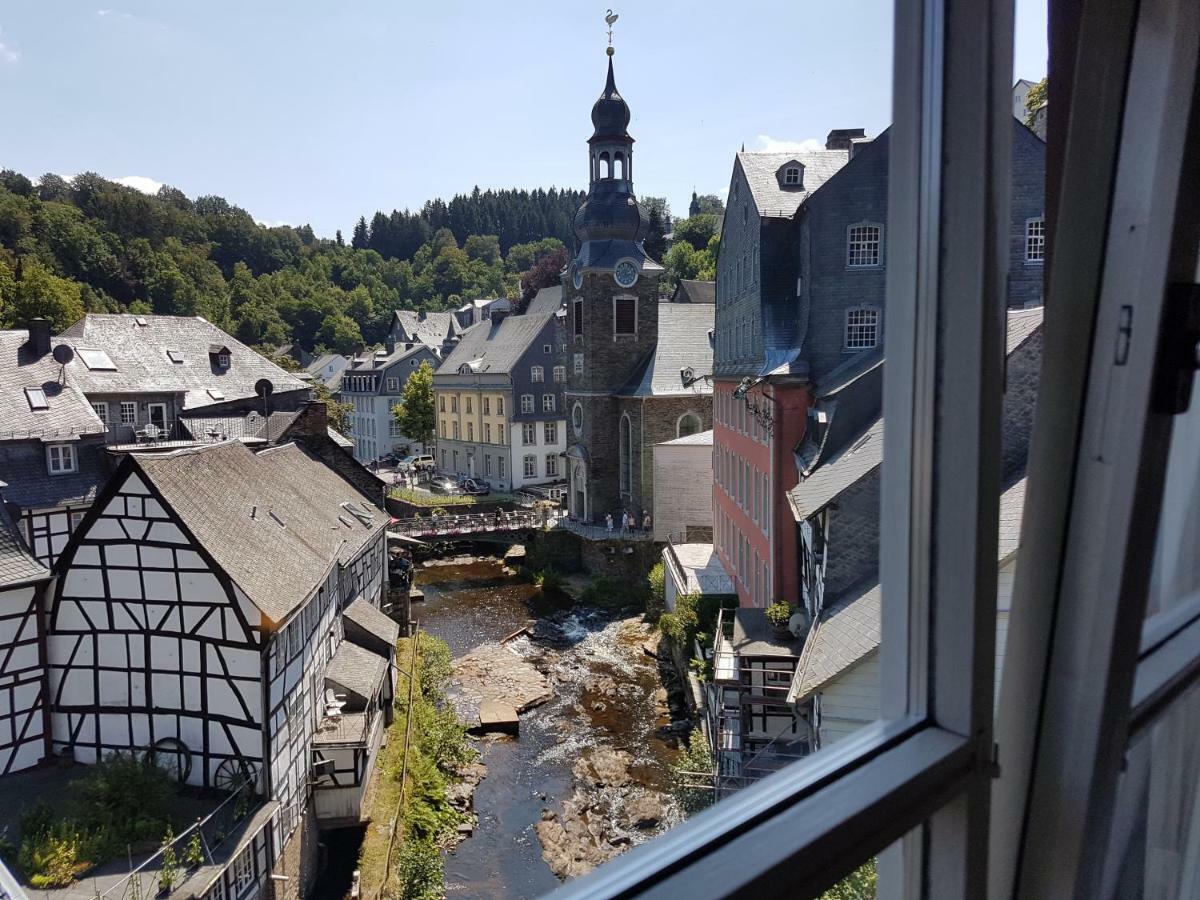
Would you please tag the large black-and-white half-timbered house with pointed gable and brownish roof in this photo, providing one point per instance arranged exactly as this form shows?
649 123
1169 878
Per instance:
200 614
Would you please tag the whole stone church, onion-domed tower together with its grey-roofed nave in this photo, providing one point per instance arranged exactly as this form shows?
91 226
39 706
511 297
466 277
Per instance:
639 368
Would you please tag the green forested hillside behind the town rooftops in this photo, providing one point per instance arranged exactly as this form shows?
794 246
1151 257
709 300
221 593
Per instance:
93 245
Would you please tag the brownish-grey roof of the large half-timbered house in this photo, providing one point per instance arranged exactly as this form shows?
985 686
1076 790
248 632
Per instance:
226 496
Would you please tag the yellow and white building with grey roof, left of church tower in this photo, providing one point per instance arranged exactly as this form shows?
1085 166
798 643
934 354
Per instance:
499 401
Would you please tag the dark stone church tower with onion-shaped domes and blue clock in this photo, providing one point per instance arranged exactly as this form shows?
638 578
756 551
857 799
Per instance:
613 295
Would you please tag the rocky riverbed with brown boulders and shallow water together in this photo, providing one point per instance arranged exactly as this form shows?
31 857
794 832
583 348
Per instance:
590 775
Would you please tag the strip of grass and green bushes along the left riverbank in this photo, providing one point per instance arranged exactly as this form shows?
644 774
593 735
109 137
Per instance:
439 749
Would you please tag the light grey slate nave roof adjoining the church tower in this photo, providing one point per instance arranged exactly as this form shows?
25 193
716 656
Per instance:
685 343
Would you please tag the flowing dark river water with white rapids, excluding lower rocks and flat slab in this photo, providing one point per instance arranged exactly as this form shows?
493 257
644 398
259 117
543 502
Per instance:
473 604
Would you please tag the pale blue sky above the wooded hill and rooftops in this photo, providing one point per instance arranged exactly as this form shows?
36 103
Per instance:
305 112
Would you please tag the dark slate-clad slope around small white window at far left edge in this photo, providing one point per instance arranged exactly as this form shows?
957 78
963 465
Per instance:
31 487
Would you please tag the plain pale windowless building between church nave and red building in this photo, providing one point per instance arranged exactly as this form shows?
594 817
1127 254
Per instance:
683 488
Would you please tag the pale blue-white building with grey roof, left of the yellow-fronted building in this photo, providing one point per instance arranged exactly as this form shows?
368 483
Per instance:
374 385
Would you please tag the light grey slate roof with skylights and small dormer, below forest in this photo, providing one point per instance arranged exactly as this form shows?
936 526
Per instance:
140 353
